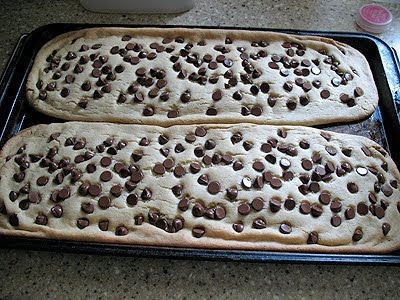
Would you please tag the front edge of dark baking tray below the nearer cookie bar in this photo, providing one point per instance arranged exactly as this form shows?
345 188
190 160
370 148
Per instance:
196 254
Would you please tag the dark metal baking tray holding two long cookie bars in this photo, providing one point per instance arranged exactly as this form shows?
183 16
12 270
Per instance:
383 127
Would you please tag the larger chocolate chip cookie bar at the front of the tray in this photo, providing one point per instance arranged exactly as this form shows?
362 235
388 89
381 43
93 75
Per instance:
216 186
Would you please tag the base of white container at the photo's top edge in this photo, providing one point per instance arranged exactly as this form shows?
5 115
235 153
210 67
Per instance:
137 6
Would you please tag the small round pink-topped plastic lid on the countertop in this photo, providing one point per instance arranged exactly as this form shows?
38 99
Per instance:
374 18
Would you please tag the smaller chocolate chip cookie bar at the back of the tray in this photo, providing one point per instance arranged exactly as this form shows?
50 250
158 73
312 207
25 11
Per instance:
184 76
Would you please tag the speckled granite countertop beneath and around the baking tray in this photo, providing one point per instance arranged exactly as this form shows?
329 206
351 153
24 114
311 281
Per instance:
36 275
